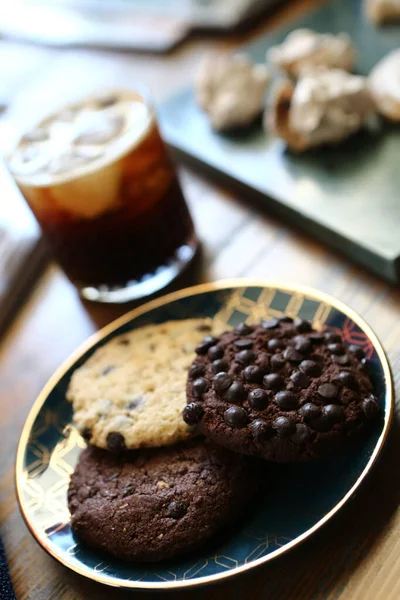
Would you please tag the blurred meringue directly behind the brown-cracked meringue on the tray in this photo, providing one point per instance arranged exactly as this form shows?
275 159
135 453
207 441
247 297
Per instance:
304 49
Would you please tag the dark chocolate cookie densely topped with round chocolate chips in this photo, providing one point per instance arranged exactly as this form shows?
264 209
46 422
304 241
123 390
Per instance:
280 390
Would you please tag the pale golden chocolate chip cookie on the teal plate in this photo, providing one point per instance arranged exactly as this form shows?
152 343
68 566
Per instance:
131 392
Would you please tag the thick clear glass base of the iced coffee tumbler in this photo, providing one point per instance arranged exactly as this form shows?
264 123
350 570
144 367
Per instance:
148 284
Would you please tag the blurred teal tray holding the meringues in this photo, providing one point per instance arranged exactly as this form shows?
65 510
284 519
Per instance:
348 195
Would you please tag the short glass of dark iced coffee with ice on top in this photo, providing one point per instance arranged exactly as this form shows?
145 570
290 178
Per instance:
98 178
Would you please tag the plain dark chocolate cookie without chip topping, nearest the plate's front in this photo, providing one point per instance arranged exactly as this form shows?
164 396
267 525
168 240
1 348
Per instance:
153 504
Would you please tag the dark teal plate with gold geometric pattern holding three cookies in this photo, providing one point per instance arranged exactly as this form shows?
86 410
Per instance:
305 496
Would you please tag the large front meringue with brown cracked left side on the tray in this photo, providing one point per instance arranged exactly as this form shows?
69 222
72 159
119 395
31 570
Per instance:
324 107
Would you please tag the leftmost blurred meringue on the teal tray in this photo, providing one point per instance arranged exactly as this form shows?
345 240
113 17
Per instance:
231 90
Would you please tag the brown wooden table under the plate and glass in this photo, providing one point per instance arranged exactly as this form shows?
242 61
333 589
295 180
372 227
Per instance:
355 557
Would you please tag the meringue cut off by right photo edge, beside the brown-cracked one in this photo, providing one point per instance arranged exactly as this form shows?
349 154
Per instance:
384 84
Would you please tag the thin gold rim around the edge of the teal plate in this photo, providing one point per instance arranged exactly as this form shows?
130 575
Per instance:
133 314
